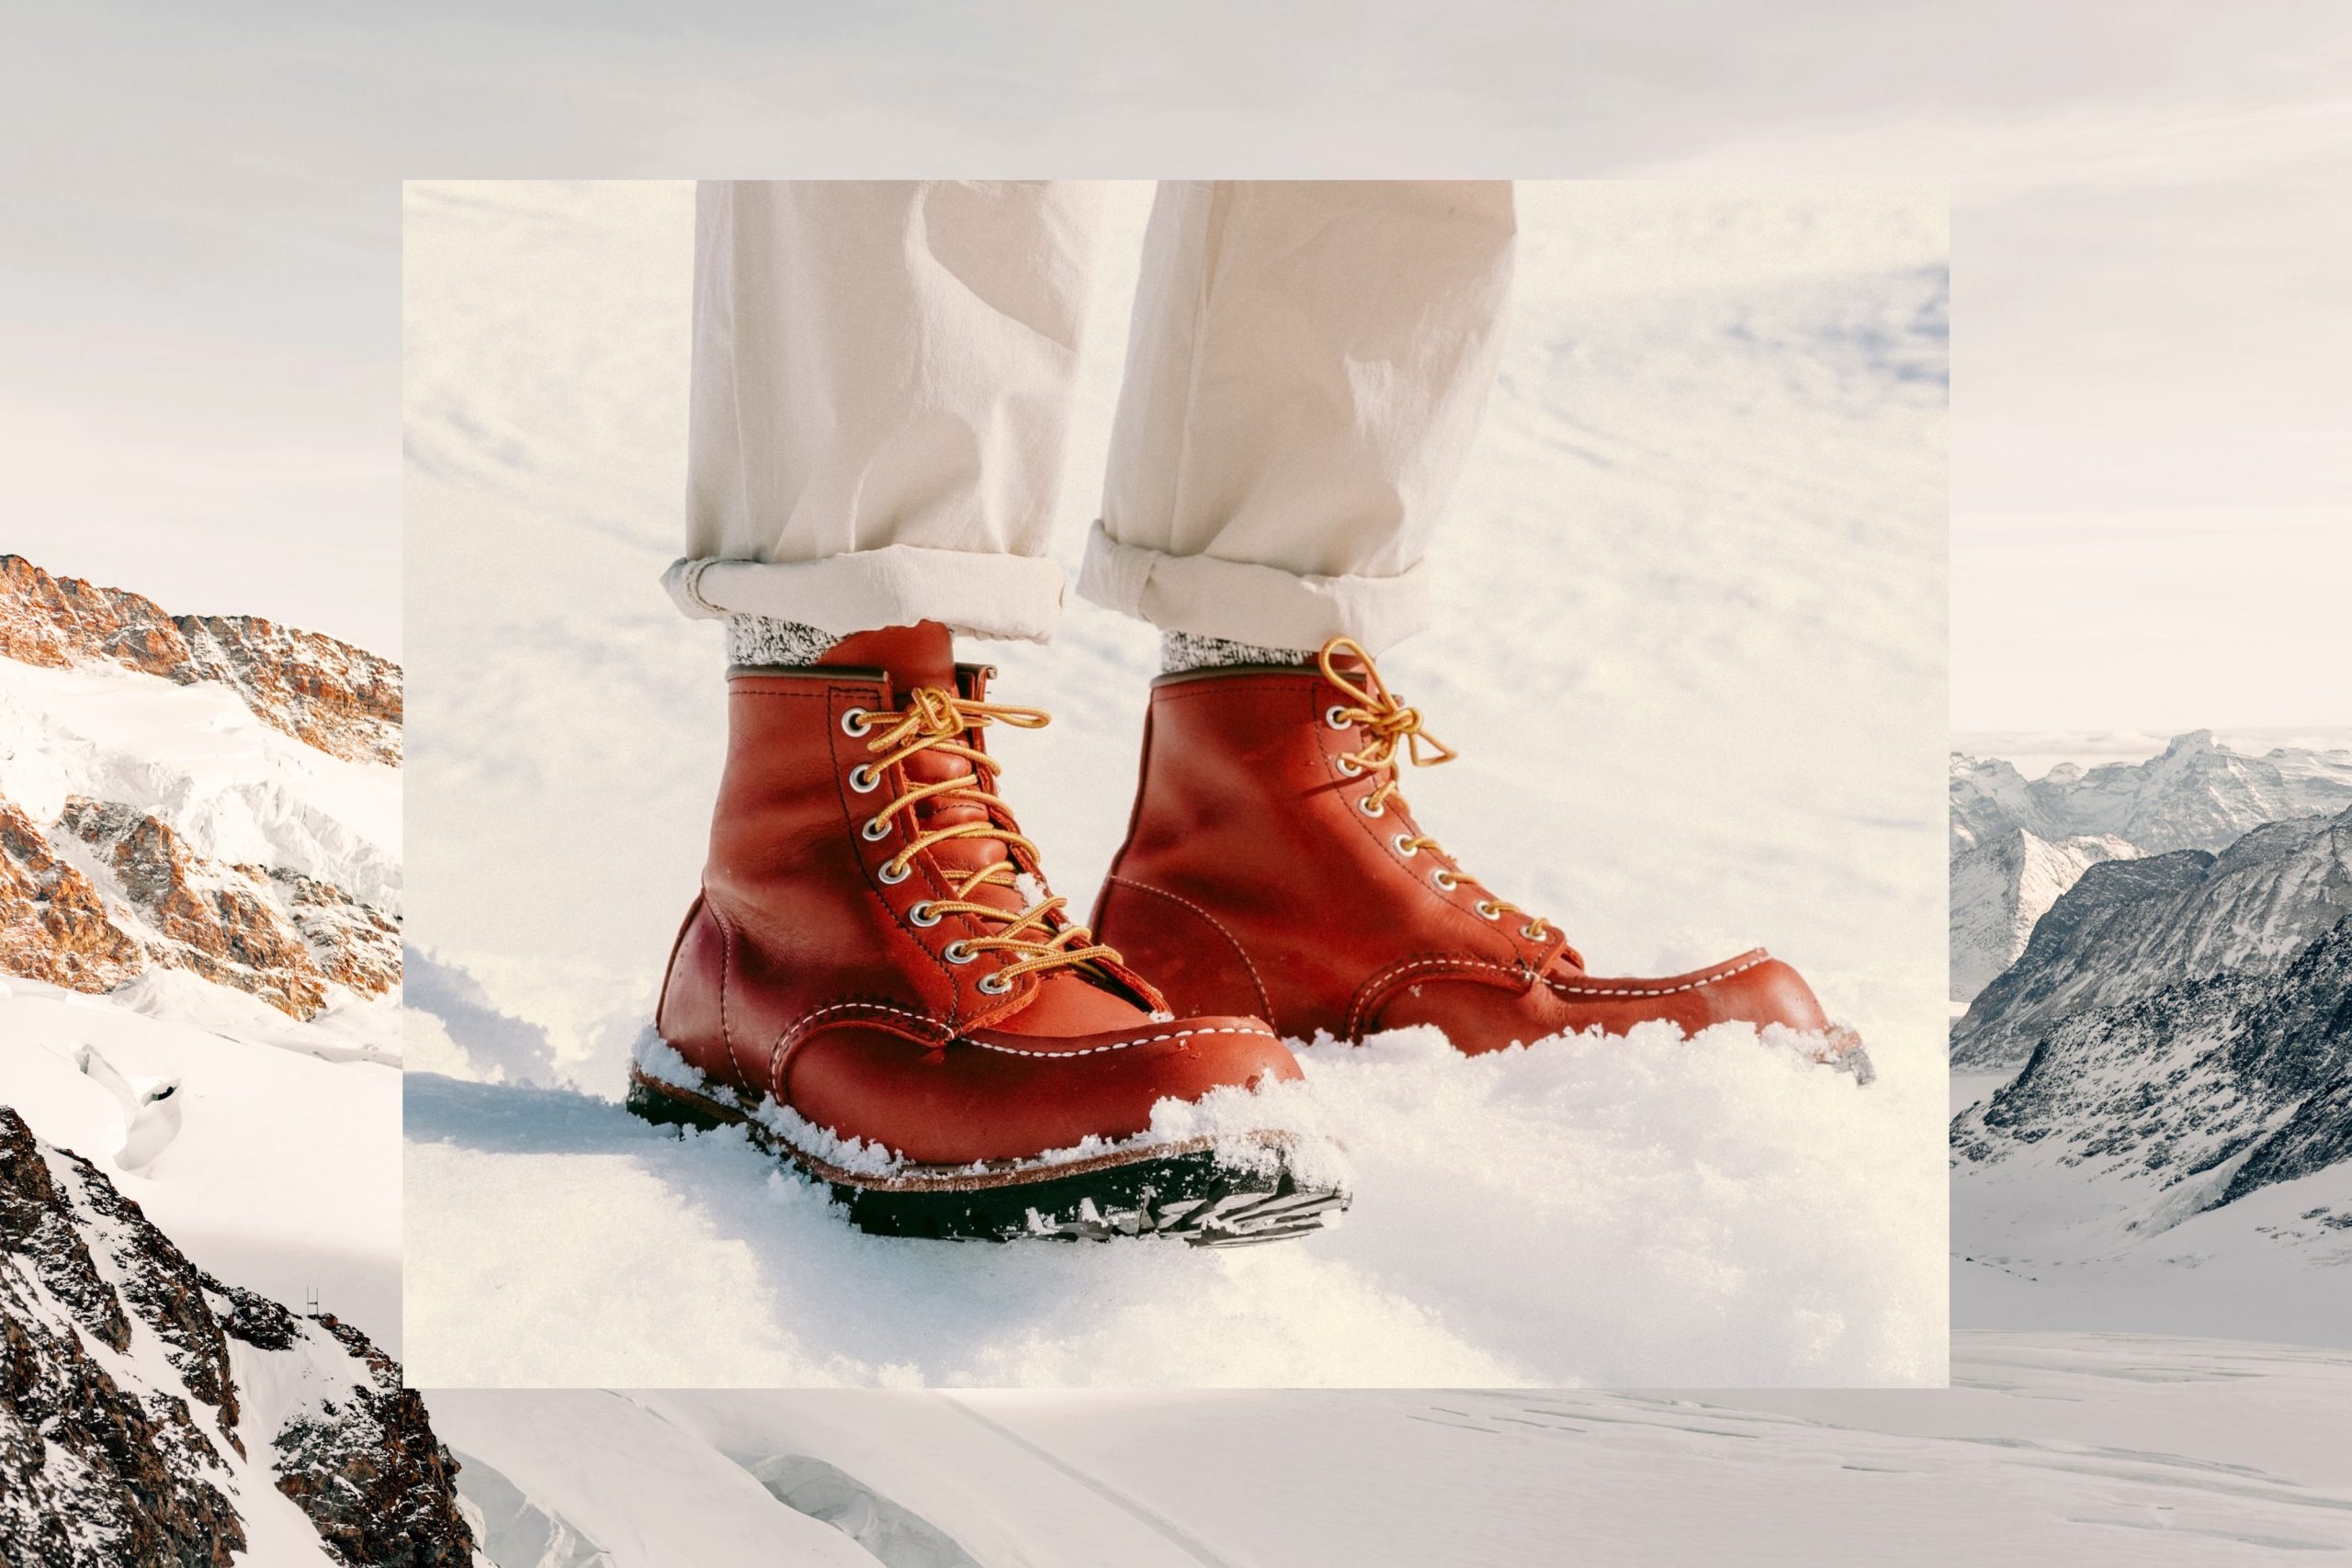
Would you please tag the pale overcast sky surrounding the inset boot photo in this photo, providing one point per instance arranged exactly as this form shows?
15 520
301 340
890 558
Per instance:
2151 323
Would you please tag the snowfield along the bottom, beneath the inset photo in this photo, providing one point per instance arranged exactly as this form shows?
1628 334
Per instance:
2054 1447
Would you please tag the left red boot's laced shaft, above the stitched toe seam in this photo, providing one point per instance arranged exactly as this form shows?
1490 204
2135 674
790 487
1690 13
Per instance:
815 894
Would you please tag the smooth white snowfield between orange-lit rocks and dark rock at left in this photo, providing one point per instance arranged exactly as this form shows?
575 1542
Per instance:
276 1165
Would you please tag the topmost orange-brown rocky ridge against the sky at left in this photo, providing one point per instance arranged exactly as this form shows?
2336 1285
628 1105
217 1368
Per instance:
314 688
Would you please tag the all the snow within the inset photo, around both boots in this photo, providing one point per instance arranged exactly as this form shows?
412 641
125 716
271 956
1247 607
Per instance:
1690 615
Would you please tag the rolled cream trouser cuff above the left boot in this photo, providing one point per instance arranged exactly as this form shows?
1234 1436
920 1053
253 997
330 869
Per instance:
984 596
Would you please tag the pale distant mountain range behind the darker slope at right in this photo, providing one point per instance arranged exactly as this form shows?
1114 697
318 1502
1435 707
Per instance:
2193 796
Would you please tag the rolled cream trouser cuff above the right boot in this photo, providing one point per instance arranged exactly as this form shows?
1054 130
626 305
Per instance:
1248 603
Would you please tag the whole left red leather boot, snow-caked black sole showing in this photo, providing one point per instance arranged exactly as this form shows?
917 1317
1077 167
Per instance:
881 989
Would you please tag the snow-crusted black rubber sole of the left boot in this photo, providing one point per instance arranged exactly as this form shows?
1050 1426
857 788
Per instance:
1180 1195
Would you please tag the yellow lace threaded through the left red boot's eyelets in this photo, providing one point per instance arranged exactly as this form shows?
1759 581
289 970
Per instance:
937 721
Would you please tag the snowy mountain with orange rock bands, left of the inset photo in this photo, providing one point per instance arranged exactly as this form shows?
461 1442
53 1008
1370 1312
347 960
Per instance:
201 927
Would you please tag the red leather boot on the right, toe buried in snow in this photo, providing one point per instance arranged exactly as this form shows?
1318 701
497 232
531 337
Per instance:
1274 869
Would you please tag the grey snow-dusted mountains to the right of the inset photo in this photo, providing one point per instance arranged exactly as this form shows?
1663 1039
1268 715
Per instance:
2163 1078
